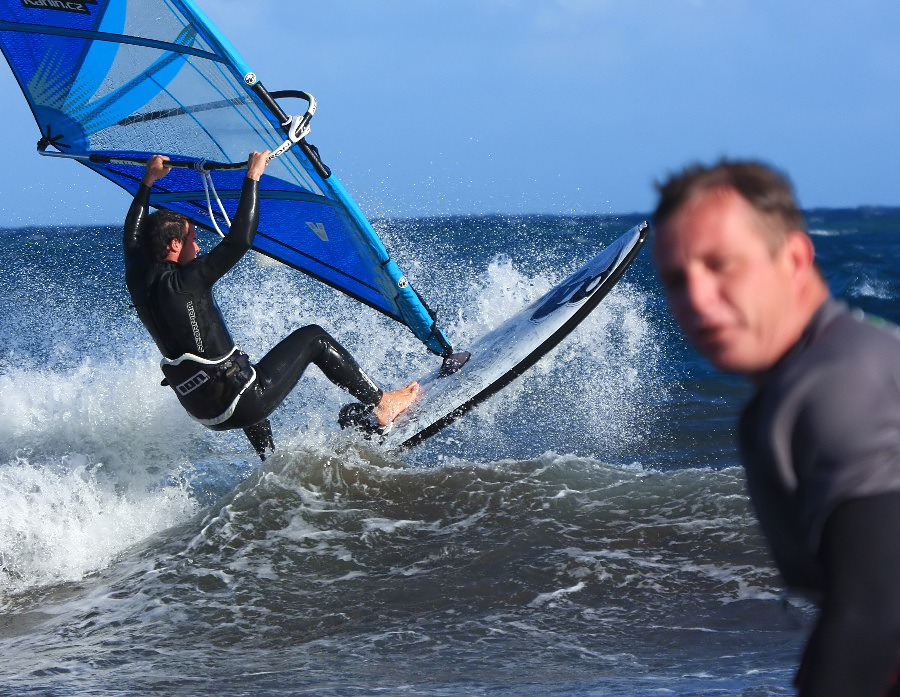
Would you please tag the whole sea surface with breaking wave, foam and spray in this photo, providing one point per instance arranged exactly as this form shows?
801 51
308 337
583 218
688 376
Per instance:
585 532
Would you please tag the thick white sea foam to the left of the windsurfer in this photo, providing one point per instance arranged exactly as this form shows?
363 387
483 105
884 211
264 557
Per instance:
89 464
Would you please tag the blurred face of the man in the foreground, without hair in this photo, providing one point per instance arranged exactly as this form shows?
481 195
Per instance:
728 290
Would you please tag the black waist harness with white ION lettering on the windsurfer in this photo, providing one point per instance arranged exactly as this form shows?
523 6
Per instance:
209 390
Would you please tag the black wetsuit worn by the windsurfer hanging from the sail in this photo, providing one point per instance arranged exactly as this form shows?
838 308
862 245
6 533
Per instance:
215 381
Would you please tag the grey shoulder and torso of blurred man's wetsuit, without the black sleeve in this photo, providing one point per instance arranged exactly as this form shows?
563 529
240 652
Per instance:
823 428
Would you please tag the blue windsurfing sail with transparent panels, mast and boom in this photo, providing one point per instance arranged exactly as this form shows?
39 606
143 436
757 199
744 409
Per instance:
112 82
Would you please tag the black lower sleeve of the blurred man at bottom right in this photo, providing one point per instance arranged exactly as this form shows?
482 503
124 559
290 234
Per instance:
855 646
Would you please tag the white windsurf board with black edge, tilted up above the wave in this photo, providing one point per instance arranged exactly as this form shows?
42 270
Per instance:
500 356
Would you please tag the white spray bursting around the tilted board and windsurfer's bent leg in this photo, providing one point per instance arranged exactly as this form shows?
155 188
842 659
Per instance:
592 394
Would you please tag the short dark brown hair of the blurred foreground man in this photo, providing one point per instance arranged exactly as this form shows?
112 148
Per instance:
766 189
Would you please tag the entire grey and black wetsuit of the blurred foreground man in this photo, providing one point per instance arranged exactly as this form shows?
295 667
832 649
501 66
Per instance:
820 441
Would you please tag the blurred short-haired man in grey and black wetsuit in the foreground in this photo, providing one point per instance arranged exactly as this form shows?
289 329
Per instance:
820 439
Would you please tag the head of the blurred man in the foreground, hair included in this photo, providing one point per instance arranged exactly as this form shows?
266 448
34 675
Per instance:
736 263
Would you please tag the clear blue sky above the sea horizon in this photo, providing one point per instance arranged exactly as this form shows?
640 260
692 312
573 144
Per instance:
545 106
